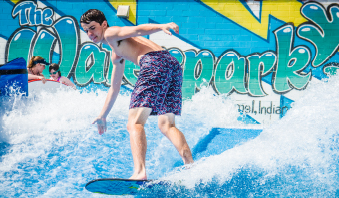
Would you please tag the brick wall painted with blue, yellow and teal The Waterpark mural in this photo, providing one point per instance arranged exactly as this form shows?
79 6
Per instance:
262 54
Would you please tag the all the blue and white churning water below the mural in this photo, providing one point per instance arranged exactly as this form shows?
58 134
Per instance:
49 148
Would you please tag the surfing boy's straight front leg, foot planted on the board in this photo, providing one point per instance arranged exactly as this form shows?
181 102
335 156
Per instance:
136 120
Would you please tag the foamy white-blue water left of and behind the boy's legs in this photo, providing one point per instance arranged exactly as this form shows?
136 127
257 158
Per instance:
54 150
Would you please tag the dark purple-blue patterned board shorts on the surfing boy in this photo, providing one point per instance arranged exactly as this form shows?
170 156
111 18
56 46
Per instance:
159 84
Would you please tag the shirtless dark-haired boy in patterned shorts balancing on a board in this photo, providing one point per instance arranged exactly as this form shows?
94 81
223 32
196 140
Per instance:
157 90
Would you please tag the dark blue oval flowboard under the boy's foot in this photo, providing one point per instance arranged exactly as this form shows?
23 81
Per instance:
117 186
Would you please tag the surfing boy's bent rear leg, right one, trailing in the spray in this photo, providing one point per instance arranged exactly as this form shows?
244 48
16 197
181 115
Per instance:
166 125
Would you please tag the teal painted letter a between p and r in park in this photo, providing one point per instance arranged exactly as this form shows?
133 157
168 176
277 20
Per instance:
230 73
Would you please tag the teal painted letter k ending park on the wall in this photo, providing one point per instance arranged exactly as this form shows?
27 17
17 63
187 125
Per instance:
290 62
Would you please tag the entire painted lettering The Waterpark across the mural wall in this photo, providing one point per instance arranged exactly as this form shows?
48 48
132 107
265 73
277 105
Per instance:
232 71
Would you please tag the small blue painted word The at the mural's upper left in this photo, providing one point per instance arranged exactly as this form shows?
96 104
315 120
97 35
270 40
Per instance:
30 15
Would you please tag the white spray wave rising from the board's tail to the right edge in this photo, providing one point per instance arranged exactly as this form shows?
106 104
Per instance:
295 156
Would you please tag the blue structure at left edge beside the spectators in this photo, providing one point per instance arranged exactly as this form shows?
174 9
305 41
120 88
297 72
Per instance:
14 73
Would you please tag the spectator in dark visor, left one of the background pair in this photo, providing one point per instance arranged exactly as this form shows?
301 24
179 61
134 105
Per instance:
35 68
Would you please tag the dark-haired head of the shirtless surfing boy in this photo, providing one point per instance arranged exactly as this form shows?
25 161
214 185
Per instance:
94 24
